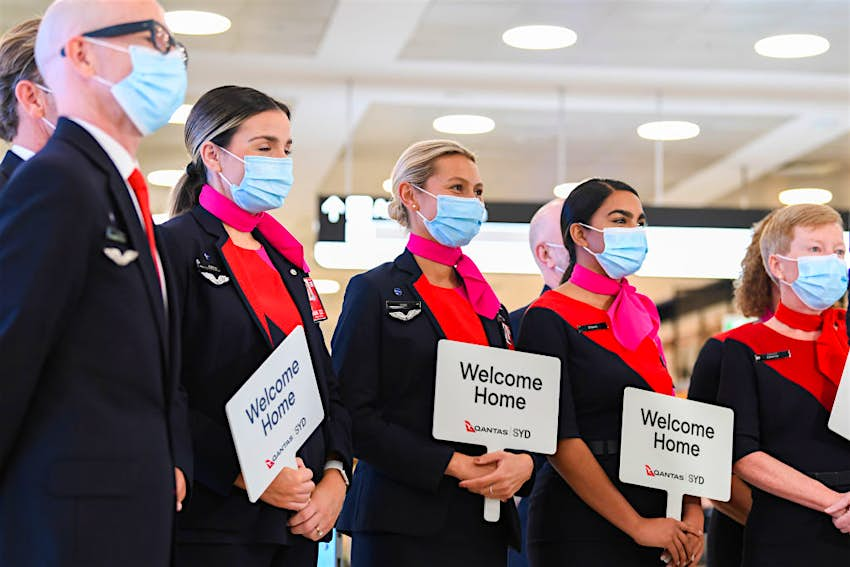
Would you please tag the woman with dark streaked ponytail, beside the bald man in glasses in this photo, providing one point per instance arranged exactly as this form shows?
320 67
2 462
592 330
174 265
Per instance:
244 286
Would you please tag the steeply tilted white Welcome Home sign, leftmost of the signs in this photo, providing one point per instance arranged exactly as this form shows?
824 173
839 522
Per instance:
274 412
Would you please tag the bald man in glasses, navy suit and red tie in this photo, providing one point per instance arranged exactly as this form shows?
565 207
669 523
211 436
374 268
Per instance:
93 436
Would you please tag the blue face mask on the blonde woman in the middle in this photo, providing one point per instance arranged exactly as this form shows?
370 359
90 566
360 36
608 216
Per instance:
457 221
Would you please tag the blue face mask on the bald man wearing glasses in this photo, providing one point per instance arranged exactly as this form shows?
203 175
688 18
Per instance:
153 90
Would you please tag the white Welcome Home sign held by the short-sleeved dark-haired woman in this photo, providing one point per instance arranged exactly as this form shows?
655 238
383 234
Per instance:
676 445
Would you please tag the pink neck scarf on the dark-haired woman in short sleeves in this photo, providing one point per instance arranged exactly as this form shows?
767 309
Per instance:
633 315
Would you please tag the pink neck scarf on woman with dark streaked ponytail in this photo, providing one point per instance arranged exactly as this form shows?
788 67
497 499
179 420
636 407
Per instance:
229 213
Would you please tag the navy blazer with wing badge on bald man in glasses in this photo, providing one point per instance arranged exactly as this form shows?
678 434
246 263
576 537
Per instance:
93 421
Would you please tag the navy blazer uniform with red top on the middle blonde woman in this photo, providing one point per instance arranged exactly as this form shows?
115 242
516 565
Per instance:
402 509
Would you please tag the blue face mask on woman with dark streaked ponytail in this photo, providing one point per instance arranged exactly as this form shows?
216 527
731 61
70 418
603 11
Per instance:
265 184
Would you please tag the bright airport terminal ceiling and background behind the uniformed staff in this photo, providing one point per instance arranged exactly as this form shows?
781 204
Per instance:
680 99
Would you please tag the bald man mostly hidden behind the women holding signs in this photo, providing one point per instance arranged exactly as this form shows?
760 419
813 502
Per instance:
552 258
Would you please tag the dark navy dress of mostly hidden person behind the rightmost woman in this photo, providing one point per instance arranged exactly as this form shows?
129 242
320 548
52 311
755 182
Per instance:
725 535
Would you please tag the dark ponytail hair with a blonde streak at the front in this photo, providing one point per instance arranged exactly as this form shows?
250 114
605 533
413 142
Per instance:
215 118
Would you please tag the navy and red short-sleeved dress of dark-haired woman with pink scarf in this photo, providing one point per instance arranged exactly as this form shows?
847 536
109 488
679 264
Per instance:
595 370
